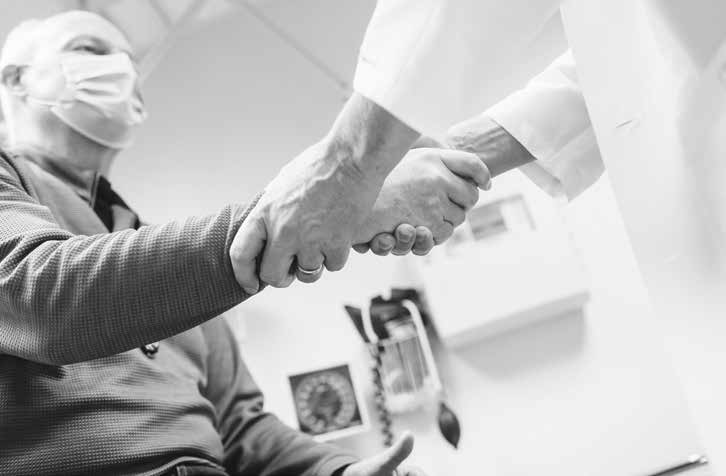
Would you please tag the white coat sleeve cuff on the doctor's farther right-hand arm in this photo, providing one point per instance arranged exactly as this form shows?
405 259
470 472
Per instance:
549 117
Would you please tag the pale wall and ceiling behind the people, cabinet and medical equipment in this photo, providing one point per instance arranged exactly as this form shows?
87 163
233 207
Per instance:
591 394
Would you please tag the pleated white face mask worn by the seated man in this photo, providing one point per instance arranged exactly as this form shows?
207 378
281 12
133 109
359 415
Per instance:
100 97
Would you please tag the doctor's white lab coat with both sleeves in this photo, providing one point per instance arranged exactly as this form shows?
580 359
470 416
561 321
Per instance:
649 88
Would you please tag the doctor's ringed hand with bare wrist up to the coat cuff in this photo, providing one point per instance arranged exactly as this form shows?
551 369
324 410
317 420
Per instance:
309 213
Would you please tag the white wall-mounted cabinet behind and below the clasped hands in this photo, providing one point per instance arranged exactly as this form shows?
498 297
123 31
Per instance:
512 263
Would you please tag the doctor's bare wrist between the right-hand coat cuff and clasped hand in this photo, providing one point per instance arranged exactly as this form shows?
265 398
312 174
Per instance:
497 148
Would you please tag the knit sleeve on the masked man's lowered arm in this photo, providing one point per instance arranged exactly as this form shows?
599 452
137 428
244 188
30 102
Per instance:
255 442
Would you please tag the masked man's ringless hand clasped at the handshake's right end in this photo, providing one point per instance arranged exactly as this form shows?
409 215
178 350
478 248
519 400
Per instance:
430 187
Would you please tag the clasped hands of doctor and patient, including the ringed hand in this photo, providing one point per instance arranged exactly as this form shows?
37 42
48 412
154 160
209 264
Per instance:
320 205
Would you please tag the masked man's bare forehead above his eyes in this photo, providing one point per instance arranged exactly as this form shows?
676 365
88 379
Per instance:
62 28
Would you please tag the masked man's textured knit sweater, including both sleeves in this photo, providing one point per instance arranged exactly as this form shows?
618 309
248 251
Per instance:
77 395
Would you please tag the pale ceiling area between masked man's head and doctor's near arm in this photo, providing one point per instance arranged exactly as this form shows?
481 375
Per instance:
231 104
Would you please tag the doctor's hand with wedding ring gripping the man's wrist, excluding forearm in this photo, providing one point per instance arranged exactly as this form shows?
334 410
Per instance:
305 218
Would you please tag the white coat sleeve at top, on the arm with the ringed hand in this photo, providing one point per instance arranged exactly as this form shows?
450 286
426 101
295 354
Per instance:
430 62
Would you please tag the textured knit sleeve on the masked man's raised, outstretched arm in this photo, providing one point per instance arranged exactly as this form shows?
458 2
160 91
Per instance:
67 298
